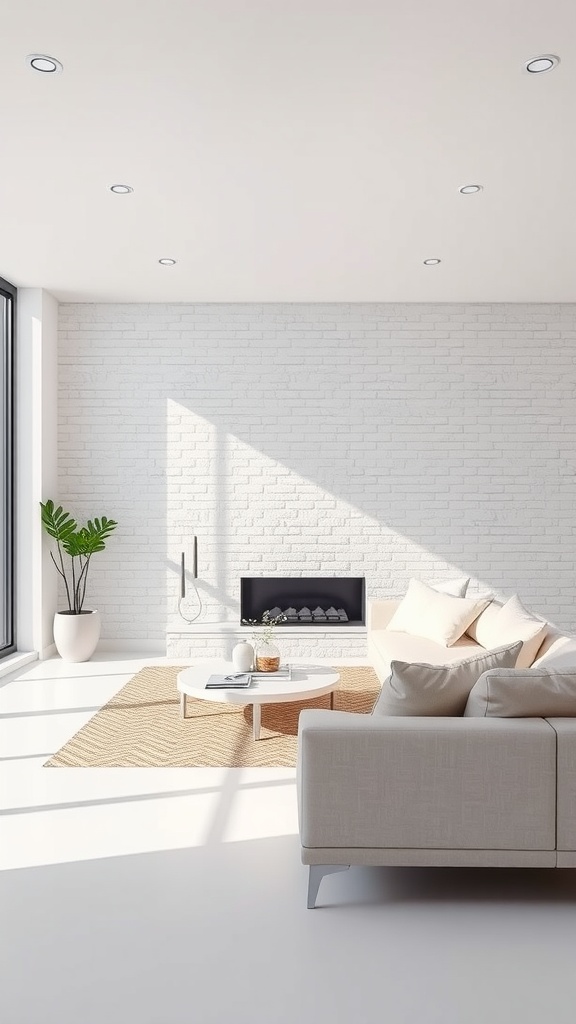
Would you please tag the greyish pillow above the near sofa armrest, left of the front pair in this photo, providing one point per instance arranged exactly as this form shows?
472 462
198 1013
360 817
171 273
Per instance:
415 689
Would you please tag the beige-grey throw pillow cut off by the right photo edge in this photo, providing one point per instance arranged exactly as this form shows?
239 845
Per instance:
523 694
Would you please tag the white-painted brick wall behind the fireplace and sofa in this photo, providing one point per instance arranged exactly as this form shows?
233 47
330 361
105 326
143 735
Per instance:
385 441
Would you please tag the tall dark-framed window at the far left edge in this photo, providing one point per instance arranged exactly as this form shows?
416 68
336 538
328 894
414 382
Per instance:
8 321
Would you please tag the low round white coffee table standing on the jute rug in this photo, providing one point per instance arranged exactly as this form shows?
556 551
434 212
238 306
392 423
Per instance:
308 681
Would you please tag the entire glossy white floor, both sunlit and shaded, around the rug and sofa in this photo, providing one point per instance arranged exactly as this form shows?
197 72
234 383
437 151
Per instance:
177 897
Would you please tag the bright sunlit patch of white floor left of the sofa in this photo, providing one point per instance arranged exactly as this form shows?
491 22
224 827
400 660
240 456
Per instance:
58 816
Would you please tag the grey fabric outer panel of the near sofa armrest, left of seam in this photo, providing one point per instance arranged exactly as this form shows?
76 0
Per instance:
426 783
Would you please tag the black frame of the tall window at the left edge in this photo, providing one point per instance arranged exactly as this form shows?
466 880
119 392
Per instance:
9 442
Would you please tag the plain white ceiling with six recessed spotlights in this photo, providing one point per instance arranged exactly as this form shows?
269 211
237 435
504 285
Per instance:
290 150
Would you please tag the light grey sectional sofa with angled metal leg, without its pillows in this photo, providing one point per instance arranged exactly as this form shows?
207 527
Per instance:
437 791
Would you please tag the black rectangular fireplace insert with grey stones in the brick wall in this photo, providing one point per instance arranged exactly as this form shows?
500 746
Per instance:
305 601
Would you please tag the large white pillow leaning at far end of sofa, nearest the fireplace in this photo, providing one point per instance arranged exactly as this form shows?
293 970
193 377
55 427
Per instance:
441 618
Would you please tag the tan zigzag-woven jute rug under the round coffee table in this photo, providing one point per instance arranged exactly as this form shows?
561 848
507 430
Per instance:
142 727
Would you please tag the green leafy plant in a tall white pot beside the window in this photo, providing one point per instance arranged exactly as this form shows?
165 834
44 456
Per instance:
76 630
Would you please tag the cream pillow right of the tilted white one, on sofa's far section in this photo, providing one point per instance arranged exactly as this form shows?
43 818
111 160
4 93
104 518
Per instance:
502 624
